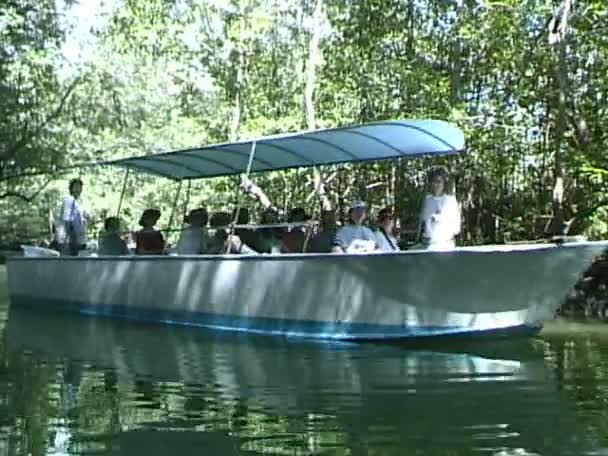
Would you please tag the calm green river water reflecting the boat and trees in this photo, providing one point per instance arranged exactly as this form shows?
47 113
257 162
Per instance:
75 385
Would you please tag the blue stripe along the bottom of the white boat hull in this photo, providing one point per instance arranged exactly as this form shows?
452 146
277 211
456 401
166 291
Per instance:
273 326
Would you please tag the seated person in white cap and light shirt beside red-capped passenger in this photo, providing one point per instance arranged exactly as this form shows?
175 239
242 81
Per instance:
355 237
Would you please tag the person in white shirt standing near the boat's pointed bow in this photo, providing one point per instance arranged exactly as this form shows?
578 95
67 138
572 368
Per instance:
440 214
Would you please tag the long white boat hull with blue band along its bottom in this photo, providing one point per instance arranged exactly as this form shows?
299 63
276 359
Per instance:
376 296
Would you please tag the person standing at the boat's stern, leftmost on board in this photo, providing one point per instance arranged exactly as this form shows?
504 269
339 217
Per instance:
70 228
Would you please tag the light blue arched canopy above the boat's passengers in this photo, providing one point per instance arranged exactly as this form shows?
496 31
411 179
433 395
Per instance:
366 142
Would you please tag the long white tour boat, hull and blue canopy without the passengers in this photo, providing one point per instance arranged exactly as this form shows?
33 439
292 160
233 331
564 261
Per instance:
497 290
